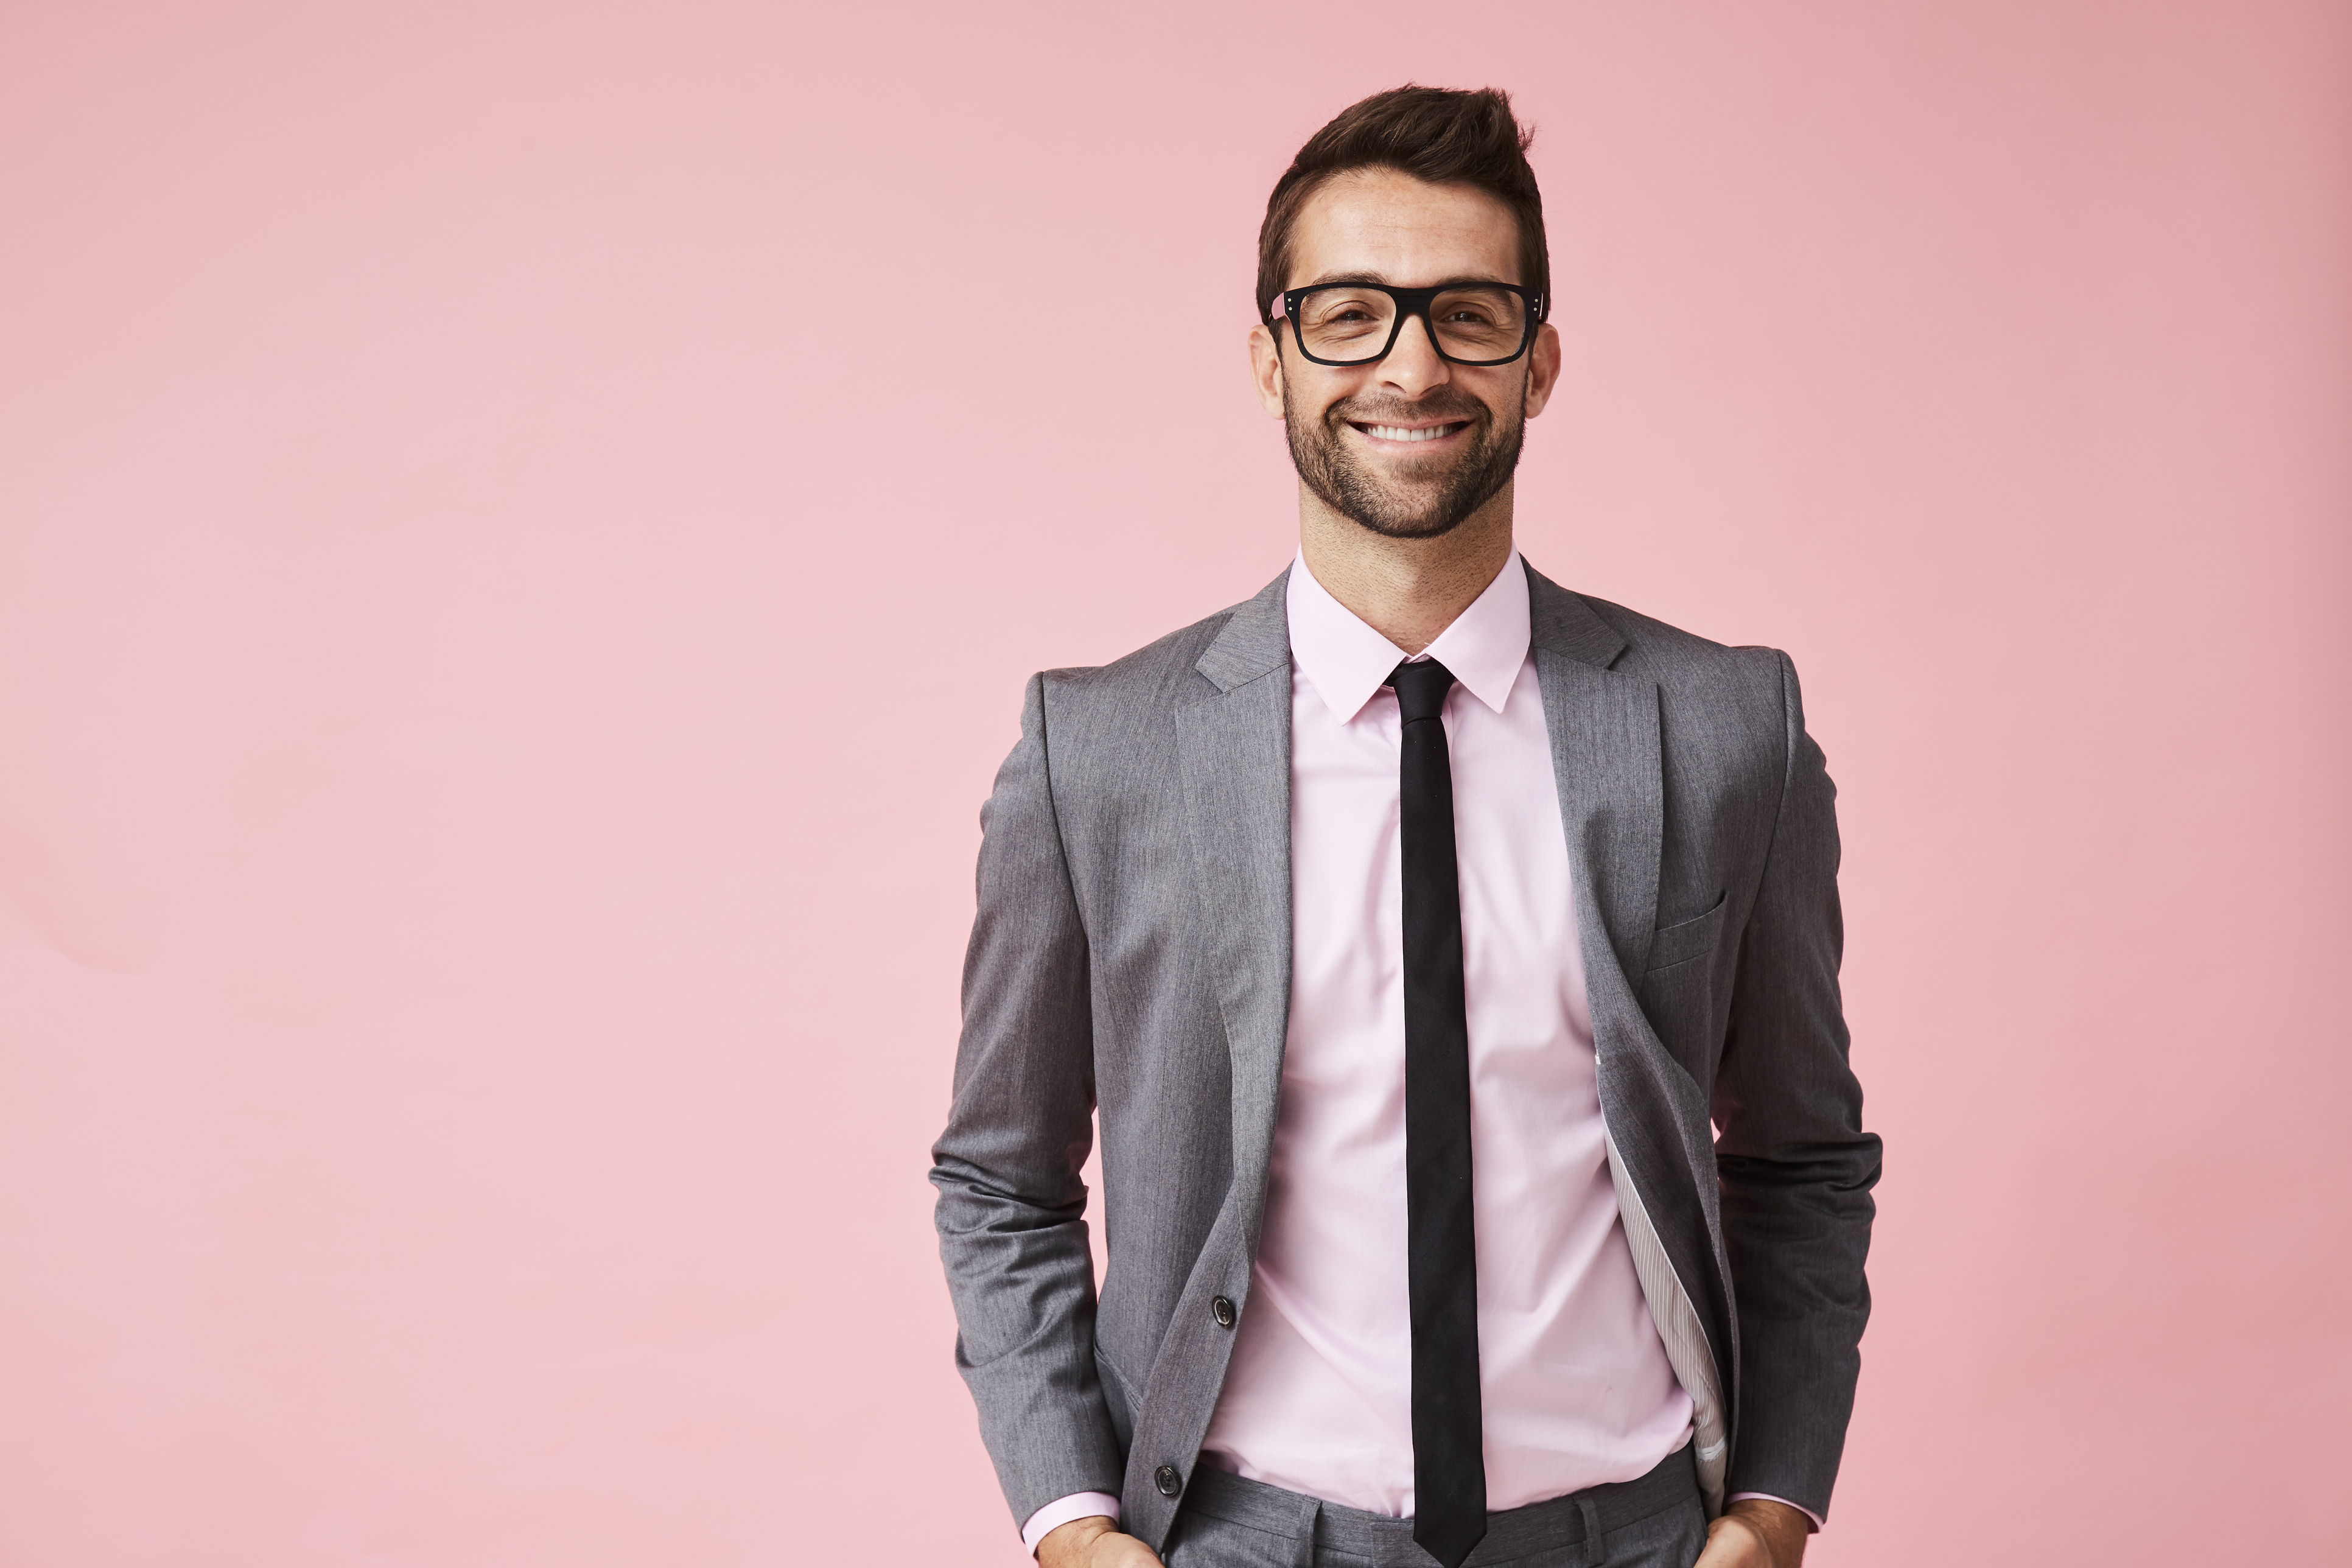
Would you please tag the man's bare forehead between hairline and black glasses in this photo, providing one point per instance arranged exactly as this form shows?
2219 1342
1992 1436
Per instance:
1405 232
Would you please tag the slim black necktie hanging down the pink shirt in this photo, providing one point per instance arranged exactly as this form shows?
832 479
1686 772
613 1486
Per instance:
1450 1470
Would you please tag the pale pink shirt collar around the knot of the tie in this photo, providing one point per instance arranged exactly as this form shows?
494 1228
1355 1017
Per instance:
1347 662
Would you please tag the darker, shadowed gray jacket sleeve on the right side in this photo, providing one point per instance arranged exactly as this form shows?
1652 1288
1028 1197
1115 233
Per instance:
1793 1155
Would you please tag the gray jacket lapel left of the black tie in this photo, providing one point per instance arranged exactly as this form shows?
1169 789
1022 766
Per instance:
1234 751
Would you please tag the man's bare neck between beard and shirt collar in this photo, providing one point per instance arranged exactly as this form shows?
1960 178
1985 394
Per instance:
1405 589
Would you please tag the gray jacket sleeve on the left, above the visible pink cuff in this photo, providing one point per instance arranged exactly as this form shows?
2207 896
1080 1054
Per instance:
1010 1212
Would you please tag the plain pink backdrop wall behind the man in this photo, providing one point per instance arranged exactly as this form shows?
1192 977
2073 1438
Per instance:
523 525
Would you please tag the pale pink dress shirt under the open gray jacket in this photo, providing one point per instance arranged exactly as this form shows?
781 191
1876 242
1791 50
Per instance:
1575 1381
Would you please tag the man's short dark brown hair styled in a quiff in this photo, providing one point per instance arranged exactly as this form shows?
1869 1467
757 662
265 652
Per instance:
1441 135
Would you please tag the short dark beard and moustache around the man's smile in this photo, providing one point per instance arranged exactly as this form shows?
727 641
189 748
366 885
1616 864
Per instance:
1417 500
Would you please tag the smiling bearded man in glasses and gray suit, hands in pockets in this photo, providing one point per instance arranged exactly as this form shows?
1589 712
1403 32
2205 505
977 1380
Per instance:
1408 927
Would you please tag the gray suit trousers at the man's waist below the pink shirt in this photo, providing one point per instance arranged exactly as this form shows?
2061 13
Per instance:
1655 1522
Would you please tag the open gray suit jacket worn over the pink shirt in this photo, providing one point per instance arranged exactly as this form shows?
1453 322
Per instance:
1132 956
